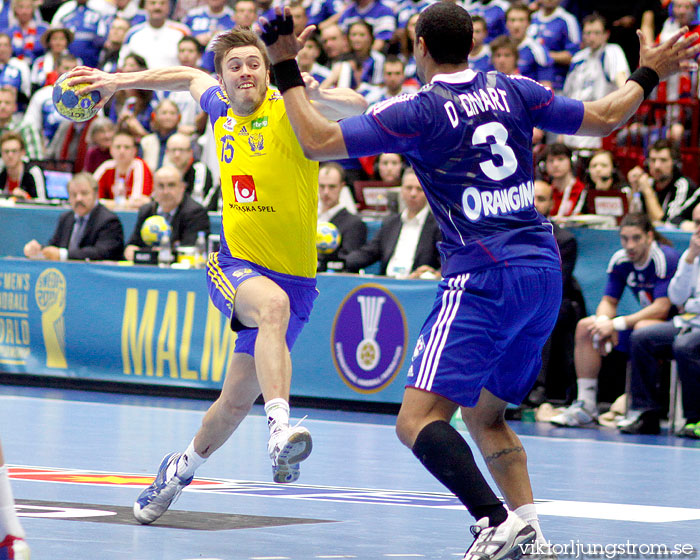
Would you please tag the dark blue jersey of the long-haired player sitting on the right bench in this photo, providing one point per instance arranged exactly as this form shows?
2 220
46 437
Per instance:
647 282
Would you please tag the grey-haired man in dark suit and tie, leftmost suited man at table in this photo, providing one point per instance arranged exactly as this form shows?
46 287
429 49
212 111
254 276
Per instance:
87 231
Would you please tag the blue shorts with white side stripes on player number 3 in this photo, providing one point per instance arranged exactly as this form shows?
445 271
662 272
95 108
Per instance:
487 330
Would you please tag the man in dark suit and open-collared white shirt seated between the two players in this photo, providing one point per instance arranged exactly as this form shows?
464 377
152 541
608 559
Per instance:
406 244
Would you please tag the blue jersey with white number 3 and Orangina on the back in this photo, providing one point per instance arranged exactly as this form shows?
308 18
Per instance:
468 135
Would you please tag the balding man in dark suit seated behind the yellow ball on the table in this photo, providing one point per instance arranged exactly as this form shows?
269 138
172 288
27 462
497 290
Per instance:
185 216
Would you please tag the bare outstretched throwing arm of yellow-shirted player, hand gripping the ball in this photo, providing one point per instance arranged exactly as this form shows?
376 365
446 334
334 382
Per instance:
175 78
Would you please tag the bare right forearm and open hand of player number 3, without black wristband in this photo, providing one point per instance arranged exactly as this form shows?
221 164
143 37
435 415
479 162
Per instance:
603 116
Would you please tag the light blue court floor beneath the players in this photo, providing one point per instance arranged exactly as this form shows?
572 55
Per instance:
79 459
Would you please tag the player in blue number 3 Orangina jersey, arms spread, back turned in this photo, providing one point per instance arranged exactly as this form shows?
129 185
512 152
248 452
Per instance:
468 136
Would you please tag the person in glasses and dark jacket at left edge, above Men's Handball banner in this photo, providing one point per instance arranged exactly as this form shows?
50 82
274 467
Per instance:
17 177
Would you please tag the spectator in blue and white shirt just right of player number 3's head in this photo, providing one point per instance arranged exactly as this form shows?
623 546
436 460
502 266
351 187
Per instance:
533 59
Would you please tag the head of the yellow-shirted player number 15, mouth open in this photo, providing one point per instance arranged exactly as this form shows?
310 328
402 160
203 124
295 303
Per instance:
244 78
